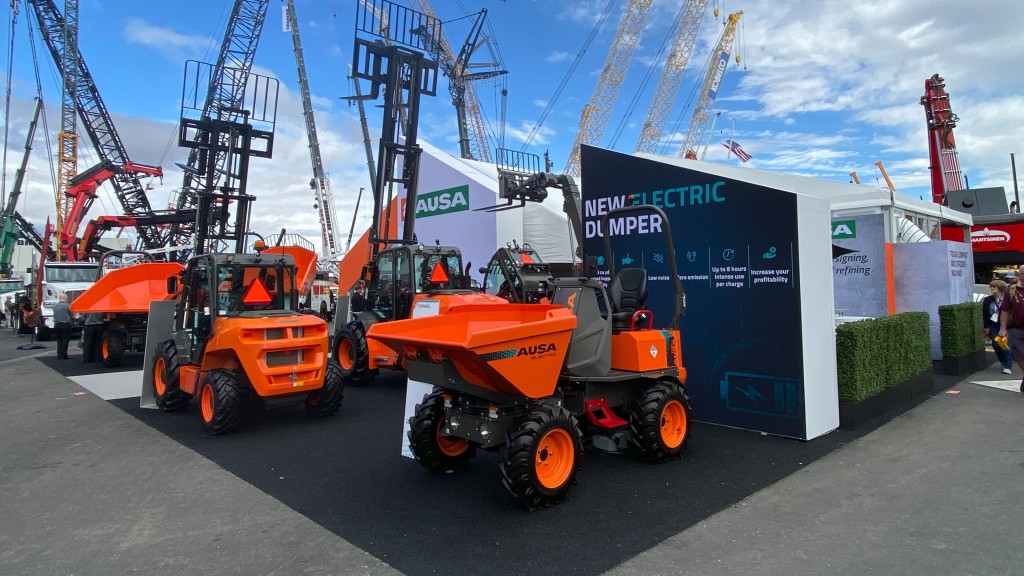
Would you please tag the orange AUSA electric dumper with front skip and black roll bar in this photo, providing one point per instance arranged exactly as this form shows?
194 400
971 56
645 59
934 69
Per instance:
533 382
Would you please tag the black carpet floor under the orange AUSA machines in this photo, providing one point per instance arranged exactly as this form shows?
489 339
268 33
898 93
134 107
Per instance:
347 474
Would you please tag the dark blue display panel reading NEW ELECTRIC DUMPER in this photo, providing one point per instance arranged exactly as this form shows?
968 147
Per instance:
737 253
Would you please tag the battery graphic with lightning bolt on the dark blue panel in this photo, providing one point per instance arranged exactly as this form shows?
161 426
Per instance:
761 394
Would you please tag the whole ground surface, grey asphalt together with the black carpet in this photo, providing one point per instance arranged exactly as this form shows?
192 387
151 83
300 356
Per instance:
106 488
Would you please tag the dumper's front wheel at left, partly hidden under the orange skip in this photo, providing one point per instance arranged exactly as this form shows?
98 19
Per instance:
437 452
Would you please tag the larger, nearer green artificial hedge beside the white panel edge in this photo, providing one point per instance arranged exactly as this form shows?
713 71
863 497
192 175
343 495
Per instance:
880 353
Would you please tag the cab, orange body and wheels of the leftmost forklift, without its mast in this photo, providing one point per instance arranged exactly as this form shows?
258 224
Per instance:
238 333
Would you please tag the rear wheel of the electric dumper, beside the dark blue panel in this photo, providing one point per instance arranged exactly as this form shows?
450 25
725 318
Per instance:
660 421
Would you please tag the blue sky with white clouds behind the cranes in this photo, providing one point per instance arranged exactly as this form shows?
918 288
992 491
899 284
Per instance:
825 89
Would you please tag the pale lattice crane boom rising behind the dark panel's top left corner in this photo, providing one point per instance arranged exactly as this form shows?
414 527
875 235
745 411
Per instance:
596 113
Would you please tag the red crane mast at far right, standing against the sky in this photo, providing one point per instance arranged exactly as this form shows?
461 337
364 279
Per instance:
944 162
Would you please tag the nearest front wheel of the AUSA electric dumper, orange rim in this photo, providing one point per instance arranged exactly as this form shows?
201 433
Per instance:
541 459
